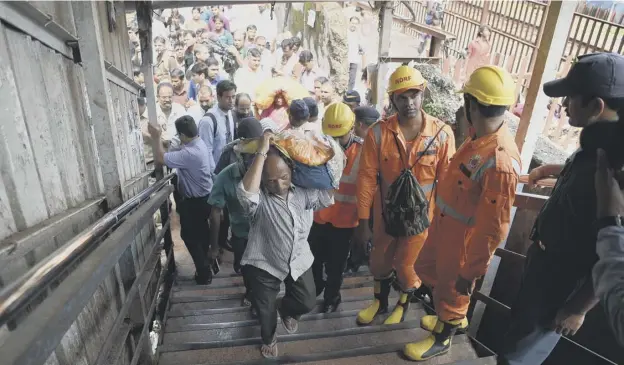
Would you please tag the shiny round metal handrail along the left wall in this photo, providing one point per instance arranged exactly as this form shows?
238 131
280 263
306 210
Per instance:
28 286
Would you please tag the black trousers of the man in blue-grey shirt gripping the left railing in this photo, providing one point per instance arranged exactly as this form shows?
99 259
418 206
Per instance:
194 230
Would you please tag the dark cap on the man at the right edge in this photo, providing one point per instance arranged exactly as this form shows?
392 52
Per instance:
596 74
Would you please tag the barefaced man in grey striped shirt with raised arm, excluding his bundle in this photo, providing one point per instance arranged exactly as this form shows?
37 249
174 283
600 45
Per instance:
277 249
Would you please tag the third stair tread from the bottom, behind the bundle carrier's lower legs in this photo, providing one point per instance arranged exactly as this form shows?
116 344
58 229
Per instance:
185 322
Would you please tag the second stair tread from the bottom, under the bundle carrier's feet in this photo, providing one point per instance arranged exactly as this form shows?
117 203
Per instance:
212 337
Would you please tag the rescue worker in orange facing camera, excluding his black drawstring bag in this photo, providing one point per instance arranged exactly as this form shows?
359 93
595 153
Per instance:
409 139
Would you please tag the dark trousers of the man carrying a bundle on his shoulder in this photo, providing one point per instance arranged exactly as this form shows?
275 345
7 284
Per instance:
299 298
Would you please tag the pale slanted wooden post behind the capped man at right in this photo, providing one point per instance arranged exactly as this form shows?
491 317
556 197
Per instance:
551 46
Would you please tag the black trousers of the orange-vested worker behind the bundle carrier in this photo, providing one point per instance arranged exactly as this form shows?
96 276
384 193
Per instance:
330 247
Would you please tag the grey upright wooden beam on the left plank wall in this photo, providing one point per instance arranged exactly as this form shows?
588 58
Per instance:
98 94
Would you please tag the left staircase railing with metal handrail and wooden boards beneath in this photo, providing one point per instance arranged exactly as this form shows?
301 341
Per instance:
96 296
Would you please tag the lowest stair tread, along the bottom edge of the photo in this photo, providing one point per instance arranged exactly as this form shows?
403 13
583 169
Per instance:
360 349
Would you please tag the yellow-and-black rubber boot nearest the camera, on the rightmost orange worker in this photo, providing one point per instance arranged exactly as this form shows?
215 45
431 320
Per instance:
438 343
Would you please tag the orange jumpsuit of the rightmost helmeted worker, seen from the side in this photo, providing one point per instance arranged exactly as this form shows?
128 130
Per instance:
472 217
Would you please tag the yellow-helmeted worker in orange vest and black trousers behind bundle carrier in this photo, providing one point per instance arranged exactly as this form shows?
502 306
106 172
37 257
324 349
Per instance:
330 236
